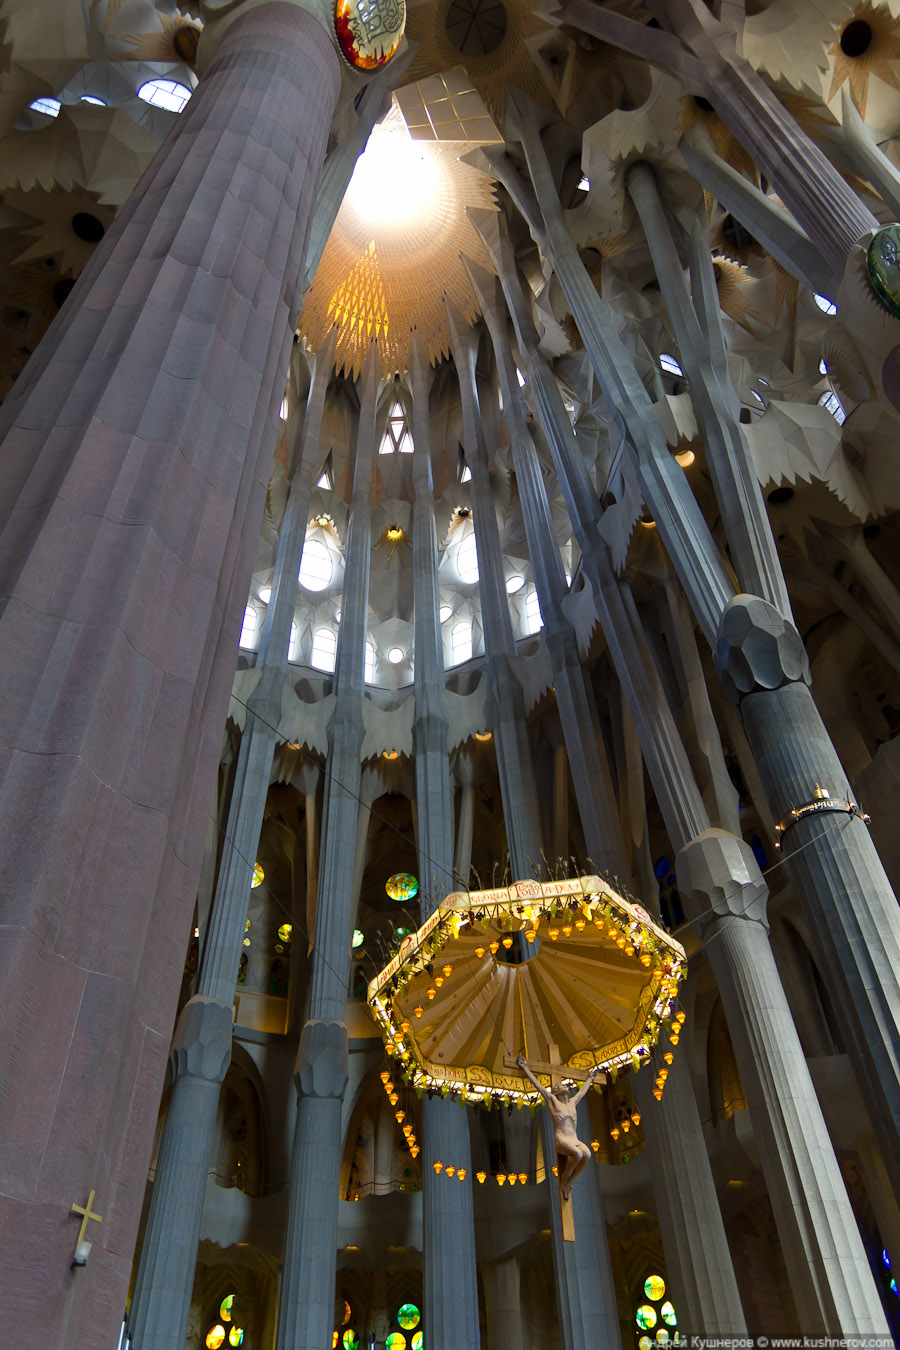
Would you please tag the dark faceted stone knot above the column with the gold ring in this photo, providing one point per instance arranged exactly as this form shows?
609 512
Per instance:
758 649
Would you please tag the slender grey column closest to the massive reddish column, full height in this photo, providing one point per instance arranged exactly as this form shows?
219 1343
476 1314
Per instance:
171 1225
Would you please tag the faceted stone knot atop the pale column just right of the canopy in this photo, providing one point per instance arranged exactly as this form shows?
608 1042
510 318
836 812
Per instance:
721 878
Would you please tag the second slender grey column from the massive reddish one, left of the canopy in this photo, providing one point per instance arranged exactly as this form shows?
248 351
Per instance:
311 1245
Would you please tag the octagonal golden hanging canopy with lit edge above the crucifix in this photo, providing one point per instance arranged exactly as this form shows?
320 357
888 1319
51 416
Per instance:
557 969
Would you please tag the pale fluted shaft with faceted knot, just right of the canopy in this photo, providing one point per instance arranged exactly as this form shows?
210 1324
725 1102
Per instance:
831 1278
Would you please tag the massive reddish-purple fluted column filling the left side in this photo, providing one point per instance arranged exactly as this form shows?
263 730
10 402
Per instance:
133 479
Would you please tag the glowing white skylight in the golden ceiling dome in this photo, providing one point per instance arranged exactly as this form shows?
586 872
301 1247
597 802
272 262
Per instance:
393 180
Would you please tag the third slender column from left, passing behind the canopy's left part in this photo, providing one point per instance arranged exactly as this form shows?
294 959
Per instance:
449 1220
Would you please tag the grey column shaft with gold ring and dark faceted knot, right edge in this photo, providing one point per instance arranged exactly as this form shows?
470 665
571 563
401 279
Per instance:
849 907
